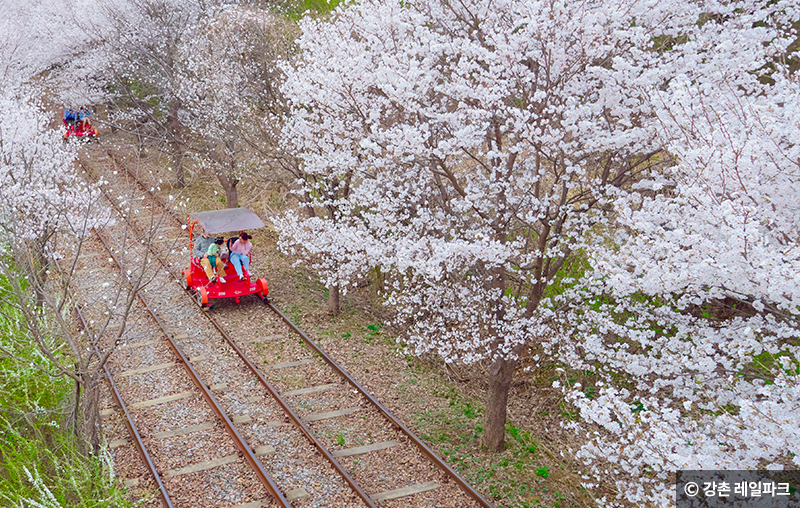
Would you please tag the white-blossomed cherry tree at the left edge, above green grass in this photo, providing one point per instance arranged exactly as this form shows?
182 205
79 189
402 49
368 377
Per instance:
48 213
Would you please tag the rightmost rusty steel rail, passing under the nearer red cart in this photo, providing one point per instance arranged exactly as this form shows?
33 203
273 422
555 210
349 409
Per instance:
463 484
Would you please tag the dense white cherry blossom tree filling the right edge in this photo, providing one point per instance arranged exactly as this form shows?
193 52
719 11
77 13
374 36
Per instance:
694 319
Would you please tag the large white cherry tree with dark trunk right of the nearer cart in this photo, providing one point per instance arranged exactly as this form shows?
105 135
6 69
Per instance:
484 139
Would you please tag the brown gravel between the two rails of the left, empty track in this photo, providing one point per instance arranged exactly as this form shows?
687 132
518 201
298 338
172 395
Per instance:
228 485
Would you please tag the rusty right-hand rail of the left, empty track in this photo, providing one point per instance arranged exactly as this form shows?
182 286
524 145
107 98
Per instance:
249 454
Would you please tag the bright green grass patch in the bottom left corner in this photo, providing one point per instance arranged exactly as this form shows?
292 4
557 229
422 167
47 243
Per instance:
40 461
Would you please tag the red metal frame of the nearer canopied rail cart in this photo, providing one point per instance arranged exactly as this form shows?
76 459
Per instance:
195 279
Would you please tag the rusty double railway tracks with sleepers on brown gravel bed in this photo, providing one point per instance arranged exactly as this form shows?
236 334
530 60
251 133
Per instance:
256 417
